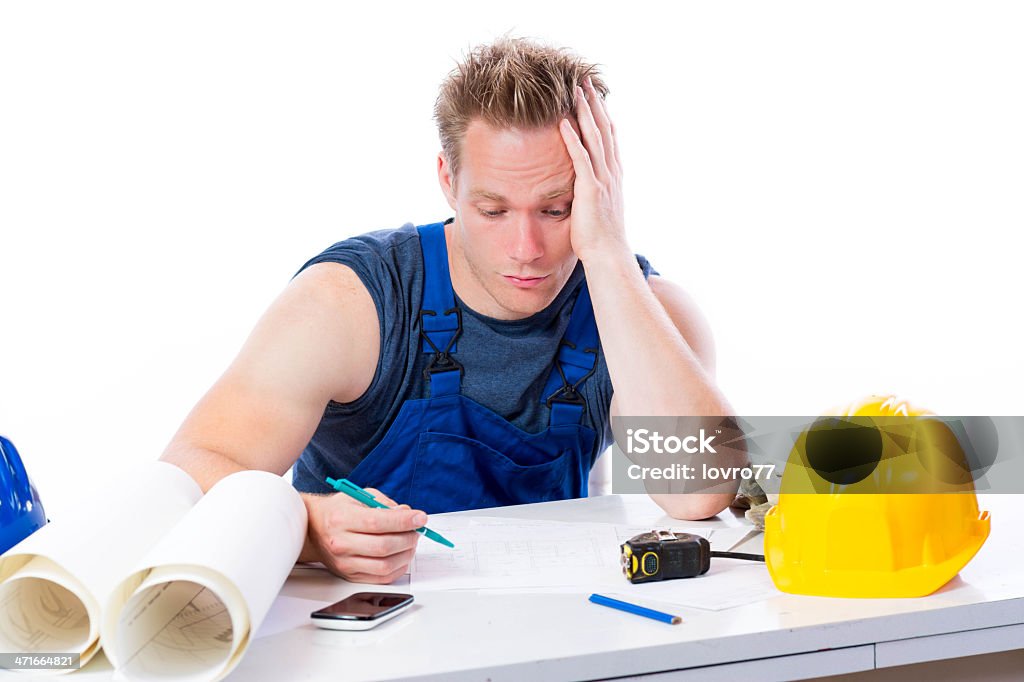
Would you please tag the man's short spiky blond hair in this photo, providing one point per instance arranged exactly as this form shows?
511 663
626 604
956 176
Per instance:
510 83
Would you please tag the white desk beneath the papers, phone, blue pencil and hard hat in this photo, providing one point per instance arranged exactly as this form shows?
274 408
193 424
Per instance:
480 636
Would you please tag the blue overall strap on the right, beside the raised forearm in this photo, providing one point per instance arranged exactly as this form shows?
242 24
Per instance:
575 364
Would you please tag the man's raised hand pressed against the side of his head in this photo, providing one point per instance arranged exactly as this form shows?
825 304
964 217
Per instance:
598 223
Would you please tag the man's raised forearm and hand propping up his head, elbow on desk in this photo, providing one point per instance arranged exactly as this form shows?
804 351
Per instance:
655 371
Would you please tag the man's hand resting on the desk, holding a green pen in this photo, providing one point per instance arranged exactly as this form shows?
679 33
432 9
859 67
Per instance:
363 544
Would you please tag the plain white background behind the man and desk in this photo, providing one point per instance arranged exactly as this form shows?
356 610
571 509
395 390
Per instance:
839 186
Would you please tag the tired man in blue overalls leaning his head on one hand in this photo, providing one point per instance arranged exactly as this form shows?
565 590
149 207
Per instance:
458 365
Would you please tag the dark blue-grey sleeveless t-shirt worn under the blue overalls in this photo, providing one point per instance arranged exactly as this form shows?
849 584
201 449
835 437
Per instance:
507 362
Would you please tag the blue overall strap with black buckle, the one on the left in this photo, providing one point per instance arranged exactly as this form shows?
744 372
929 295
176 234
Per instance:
441 320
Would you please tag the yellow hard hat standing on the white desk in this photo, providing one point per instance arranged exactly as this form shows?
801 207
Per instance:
836 533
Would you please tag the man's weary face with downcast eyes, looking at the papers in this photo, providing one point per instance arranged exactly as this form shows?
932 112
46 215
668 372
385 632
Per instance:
510 249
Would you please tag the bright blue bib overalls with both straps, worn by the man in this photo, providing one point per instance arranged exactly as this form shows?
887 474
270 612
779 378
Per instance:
448 453
